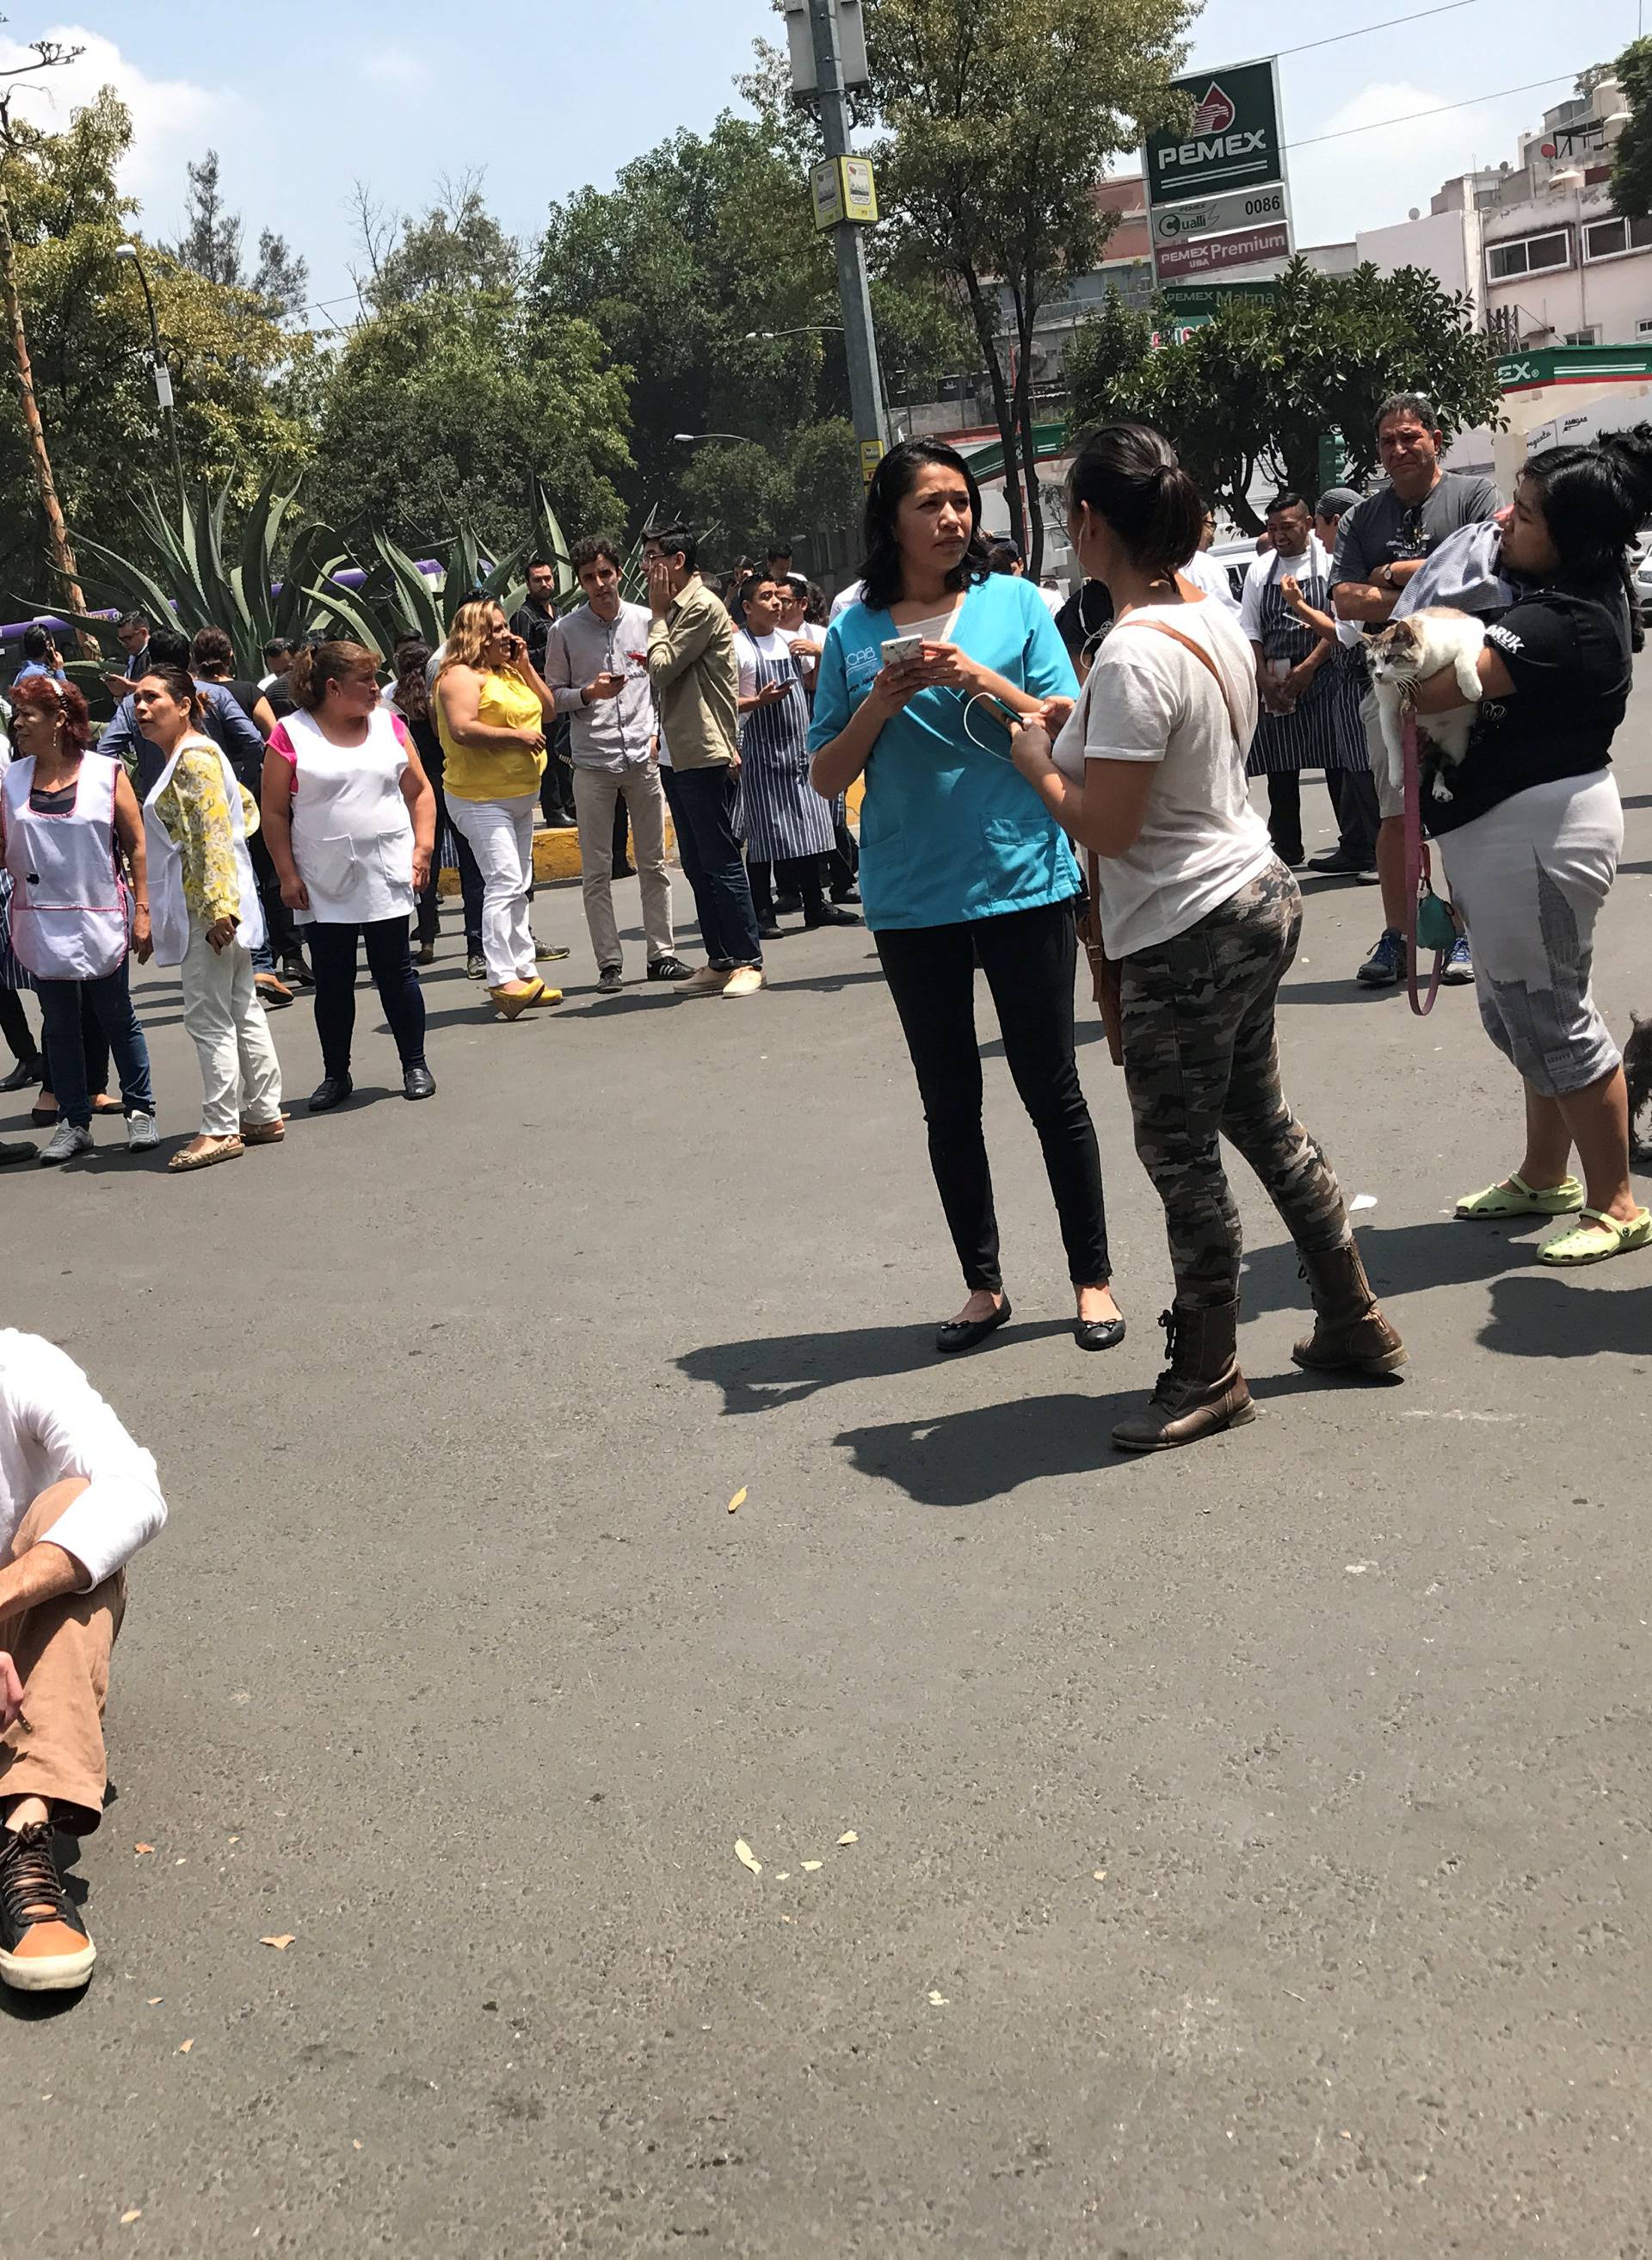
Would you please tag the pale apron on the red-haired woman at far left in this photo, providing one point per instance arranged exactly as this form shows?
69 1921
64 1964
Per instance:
71 912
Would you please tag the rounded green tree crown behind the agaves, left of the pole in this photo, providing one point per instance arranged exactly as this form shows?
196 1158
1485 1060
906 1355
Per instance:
449 406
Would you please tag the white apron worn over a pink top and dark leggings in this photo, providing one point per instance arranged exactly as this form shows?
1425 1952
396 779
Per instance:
351 831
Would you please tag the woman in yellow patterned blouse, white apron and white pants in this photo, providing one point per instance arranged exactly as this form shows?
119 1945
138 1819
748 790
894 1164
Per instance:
209 921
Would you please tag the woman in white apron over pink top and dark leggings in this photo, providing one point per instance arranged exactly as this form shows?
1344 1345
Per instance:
351 826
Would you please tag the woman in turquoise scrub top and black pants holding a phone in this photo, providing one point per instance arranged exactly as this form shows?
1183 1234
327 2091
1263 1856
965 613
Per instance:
962 862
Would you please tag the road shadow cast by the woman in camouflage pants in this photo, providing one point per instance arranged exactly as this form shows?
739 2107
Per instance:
986 1452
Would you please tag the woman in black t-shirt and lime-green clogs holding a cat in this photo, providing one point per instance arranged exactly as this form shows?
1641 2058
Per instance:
1533 831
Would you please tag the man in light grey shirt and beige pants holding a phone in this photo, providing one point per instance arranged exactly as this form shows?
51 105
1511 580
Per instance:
598 666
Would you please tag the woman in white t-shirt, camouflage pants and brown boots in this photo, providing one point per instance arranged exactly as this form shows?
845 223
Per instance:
1203 919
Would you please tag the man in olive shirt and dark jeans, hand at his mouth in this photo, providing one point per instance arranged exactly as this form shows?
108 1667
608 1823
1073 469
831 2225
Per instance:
697 688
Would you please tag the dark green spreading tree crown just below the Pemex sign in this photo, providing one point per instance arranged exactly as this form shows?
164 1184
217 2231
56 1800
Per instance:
1267 381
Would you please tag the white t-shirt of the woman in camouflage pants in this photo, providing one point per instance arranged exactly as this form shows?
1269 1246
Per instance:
1149 699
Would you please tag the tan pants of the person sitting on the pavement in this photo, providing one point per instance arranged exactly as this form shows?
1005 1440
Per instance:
62 1655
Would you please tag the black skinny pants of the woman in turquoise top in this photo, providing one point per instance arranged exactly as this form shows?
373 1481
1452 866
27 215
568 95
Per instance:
1029 962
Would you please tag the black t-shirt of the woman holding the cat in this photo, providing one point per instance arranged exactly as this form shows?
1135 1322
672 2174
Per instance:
1567 654
